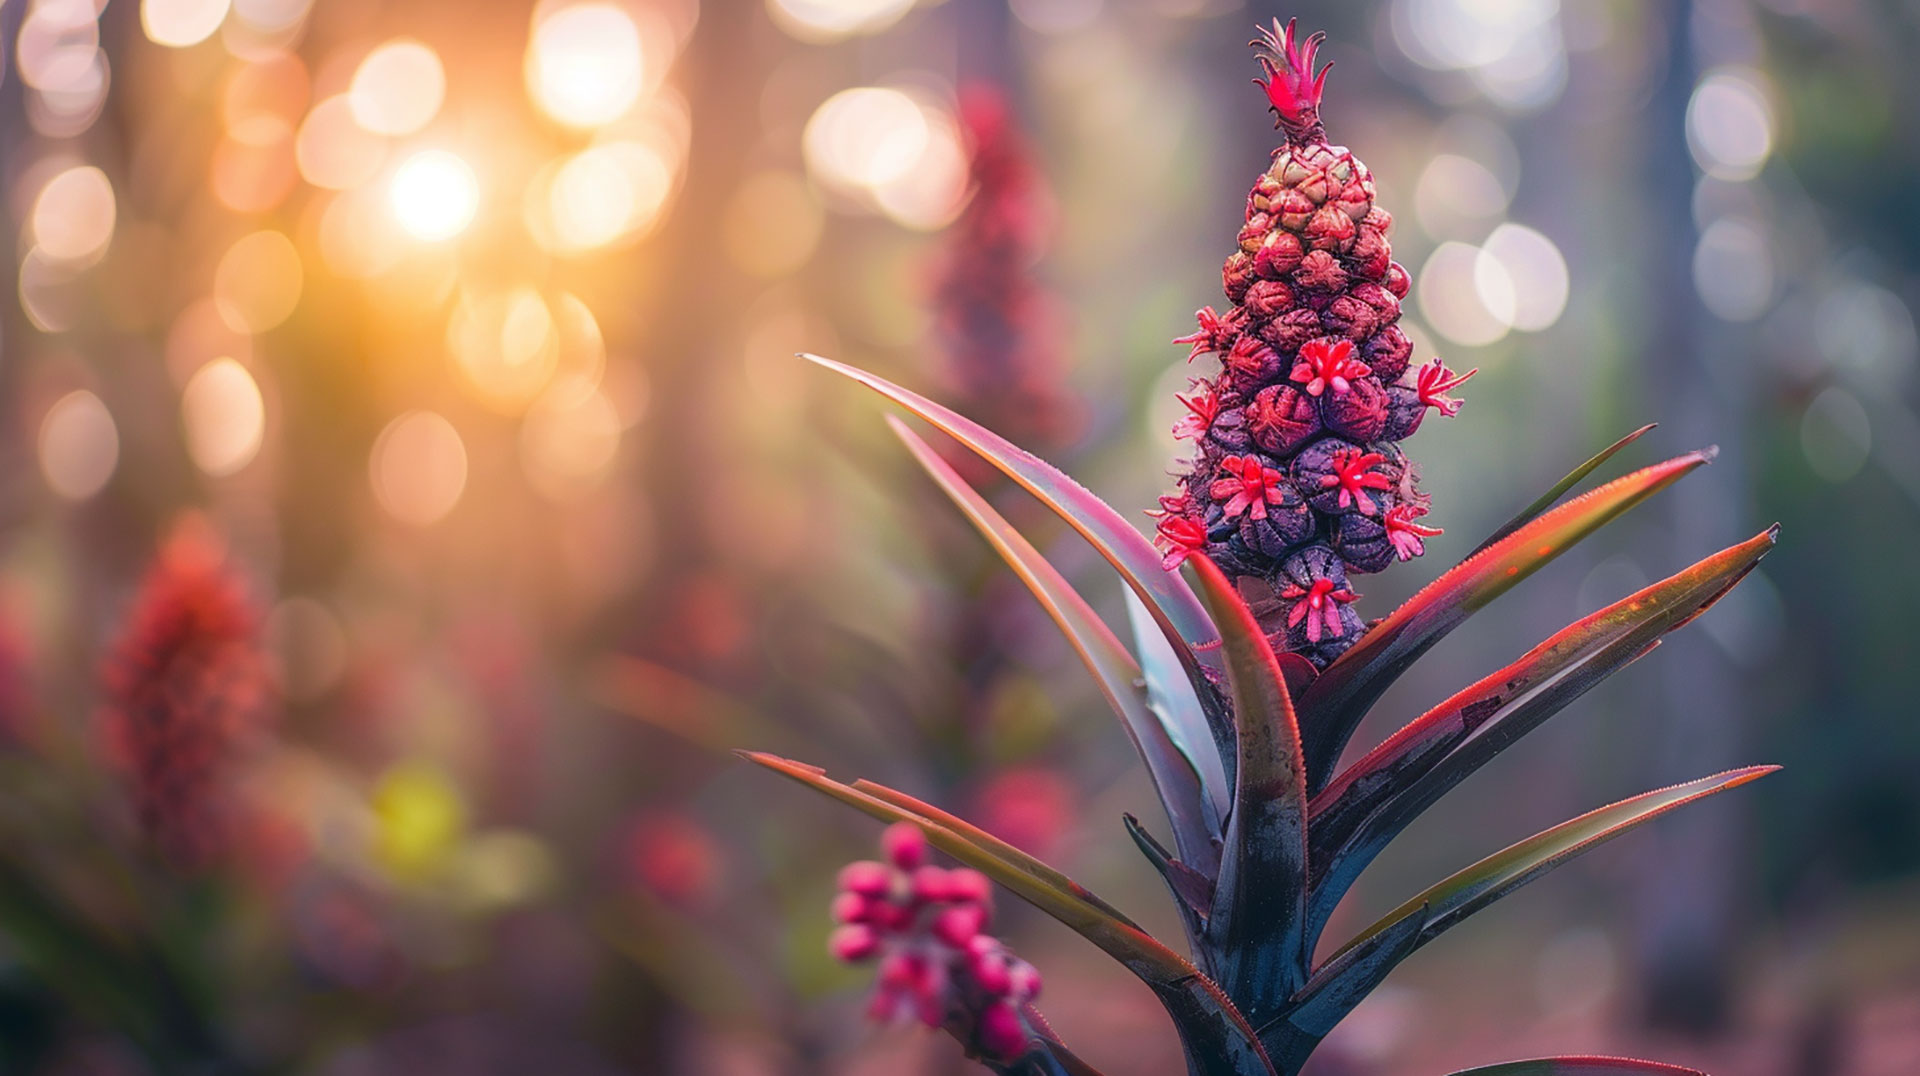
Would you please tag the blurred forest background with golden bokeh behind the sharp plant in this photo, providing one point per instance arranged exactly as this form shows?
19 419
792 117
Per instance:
423 374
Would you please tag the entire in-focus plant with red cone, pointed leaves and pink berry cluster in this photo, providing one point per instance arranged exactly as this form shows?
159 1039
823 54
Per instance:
1251 668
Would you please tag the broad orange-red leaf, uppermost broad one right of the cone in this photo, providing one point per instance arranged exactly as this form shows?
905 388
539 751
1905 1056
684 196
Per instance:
1347 689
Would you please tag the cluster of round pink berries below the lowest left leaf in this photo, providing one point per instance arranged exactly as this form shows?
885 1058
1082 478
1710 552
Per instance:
924 929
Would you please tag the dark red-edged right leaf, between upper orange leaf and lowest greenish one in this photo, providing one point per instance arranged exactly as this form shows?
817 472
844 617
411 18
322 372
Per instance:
1362 810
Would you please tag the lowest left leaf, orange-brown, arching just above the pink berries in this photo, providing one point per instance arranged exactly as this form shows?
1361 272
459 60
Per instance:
1209 1023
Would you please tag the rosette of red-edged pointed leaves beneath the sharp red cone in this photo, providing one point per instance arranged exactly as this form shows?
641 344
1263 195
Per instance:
1243 745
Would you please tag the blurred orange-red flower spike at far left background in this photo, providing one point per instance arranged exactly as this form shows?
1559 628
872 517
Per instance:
185 695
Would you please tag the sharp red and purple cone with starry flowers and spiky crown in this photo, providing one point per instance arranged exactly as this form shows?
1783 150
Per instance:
1299 479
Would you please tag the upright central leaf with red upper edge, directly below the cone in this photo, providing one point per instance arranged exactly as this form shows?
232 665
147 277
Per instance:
1260 898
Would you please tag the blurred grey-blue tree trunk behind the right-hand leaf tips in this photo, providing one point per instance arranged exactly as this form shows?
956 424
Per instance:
1687 902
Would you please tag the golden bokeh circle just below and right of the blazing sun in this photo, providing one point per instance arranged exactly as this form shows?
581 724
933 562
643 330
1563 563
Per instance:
506 347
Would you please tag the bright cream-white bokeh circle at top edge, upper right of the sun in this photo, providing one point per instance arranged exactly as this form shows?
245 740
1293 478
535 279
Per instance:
585 64
